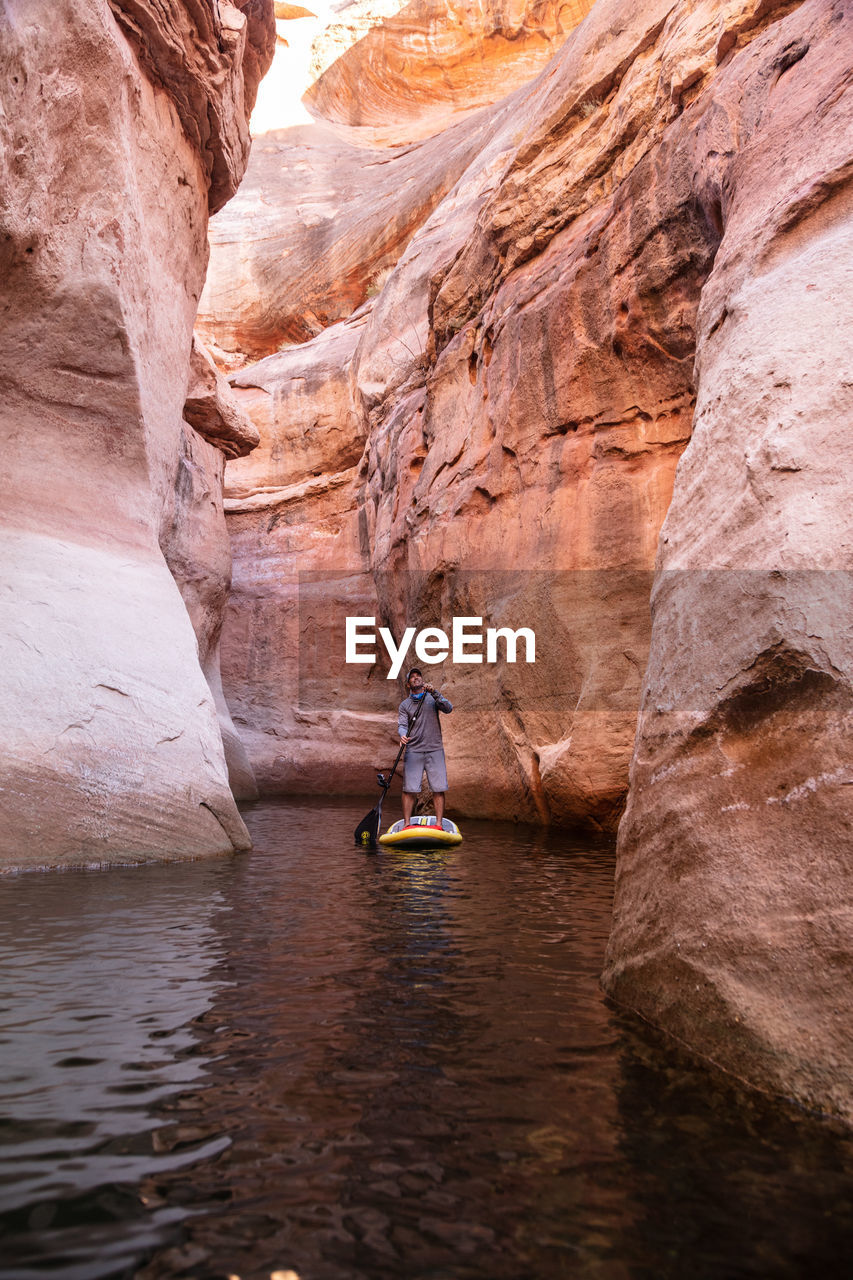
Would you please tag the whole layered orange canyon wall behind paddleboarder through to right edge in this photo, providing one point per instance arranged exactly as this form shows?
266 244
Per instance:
603 368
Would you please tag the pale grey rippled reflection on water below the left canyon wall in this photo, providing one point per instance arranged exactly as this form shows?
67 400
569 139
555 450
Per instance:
102 977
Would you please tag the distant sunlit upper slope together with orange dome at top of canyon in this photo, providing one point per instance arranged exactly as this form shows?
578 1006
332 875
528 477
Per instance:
326 207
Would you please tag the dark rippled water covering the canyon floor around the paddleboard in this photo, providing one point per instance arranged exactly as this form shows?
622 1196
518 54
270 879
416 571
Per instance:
314 1060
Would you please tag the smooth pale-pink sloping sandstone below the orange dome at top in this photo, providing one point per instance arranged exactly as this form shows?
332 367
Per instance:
320 217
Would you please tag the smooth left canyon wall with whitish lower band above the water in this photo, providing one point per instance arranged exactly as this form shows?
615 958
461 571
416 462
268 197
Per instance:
111 742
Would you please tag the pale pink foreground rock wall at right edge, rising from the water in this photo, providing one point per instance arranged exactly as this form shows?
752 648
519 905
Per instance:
733 920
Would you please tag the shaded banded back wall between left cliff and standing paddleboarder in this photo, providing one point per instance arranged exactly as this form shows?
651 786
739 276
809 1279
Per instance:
294 520
